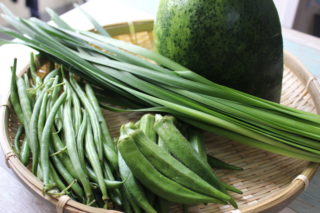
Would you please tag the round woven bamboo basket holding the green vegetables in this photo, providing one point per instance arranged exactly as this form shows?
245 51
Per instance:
269 182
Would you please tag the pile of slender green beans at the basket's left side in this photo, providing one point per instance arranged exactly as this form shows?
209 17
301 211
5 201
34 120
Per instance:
66 140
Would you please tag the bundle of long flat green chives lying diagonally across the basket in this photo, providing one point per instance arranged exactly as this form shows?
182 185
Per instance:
180 91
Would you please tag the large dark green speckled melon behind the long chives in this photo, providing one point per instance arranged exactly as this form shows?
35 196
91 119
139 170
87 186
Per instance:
236 43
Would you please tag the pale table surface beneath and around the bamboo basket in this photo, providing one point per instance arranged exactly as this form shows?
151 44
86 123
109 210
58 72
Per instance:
15 198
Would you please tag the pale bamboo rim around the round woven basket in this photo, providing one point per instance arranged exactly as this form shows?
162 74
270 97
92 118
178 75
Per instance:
140 32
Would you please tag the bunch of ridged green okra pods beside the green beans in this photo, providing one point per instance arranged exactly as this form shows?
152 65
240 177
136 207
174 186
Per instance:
171 166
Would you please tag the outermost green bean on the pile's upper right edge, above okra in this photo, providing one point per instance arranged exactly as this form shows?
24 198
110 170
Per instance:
104 127
